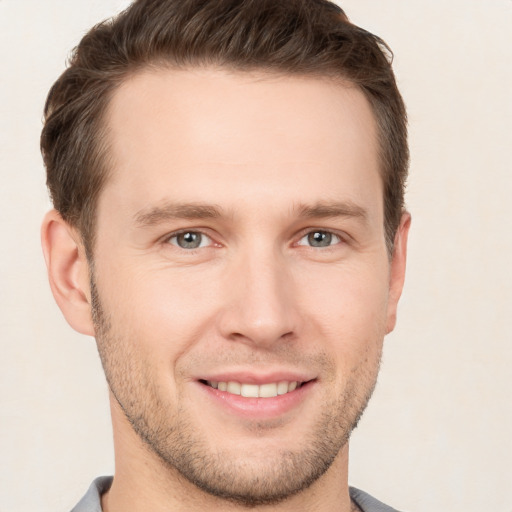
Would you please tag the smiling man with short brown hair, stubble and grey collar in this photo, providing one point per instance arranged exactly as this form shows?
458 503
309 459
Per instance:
229 224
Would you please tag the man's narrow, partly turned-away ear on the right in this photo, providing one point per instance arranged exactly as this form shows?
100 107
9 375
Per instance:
397 270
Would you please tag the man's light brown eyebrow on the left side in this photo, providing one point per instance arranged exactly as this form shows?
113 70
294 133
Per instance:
168 211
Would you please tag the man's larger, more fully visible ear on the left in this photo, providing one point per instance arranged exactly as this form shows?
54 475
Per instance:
68 271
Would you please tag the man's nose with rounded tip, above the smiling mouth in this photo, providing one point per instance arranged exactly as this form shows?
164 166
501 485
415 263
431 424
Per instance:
261 303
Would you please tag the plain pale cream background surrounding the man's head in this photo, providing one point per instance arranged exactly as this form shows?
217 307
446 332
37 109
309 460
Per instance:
437 433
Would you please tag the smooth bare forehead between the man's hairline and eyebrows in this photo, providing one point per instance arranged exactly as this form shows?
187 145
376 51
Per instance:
212 135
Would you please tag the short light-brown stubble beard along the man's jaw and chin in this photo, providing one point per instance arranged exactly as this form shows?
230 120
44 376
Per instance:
229 475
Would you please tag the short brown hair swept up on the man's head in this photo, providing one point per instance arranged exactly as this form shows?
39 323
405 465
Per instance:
298 37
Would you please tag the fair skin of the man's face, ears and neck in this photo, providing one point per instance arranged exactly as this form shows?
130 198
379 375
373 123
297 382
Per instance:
254 164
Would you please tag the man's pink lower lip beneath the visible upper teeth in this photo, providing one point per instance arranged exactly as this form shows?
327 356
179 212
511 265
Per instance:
259 408
